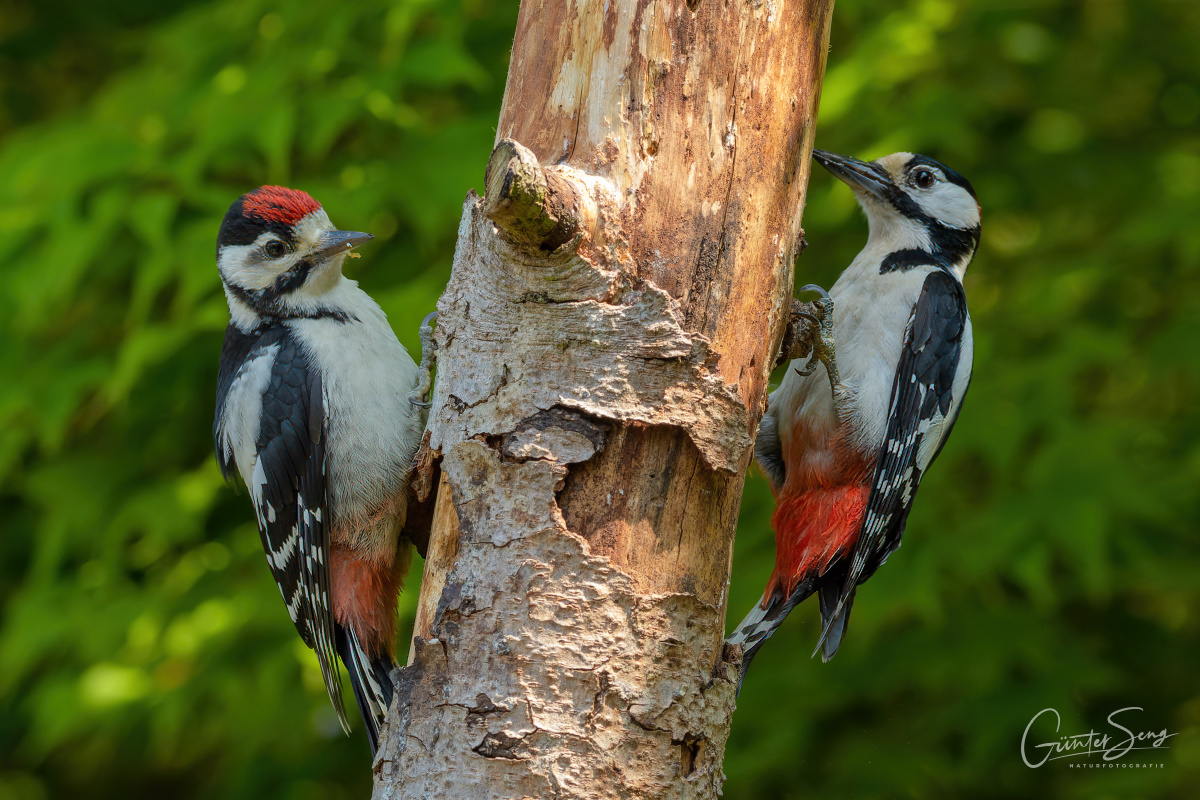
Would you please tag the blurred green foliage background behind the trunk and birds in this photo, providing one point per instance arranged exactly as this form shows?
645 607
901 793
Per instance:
1052 561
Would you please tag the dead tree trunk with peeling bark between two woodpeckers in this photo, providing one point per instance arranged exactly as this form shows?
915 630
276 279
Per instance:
605 341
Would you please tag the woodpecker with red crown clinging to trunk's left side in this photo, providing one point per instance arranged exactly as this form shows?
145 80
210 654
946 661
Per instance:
319 413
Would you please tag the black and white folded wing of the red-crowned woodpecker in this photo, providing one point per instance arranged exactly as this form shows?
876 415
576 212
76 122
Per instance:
287 484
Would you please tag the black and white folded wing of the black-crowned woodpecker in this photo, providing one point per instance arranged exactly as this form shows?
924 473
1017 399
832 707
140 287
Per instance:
927 394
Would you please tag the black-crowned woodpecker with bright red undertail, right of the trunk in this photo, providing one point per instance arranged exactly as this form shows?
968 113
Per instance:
892 340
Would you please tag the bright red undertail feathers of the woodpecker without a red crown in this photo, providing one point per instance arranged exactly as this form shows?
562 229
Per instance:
812 530
